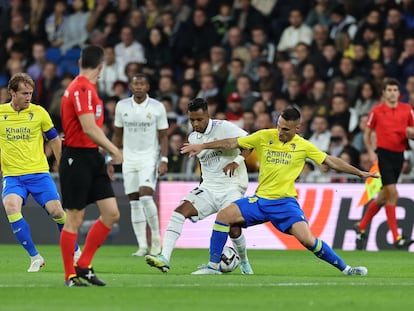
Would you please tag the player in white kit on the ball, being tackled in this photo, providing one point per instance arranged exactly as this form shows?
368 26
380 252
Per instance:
224 179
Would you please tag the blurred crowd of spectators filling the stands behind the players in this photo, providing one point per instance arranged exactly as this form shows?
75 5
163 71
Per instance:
248 58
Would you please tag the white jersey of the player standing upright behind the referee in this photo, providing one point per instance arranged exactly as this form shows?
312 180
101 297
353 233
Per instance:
141 123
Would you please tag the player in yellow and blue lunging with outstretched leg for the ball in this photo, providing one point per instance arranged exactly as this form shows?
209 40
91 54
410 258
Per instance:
282 154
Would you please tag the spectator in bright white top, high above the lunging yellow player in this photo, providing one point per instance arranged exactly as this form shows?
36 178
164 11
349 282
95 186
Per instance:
295 33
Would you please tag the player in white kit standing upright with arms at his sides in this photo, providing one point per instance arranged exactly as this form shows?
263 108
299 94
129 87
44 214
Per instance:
141 130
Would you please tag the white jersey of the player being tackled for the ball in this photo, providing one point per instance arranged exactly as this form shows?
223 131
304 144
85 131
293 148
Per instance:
214 160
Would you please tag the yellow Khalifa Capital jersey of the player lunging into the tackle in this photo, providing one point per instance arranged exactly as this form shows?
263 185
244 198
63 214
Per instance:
280 163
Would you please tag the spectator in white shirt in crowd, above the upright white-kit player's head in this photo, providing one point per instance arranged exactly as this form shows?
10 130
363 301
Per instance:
129 49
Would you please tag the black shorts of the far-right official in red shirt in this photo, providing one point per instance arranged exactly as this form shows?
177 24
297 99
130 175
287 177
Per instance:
390 164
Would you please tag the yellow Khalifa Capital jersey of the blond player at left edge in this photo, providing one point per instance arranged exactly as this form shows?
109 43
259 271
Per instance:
21 140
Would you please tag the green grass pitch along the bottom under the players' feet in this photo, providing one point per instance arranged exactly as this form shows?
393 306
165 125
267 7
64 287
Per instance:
291 280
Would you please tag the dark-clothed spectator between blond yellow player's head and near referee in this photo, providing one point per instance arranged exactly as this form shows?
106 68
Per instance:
46 85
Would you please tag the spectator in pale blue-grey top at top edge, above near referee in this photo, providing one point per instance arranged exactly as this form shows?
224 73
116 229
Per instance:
74 28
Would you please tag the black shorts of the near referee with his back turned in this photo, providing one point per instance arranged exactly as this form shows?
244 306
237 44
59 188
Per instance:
83 178
